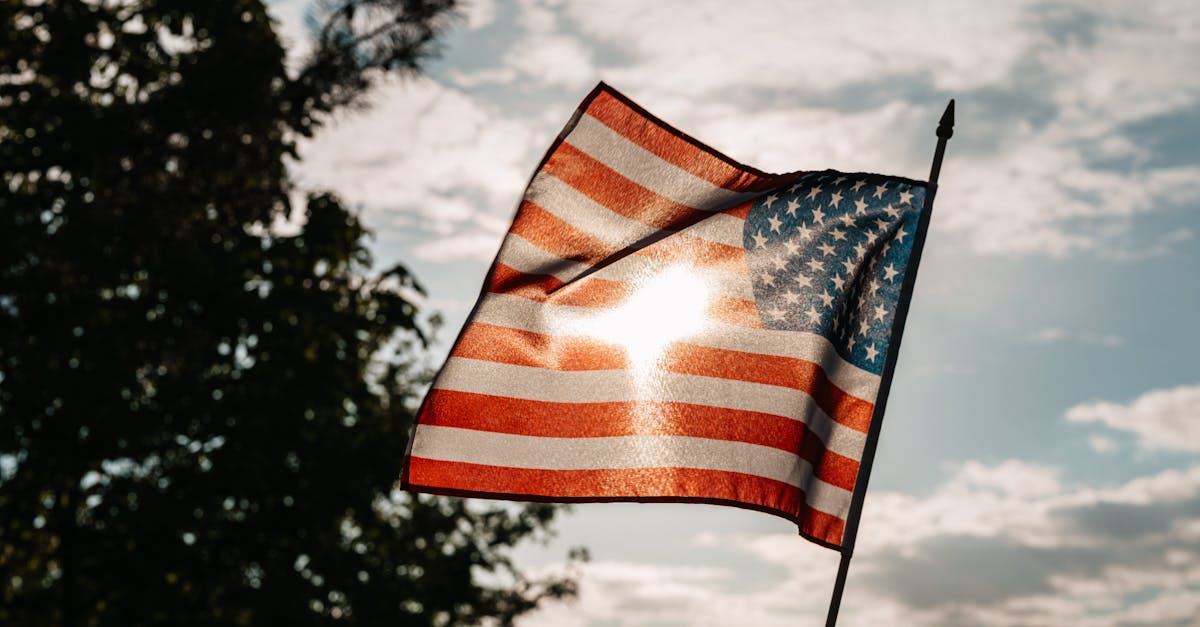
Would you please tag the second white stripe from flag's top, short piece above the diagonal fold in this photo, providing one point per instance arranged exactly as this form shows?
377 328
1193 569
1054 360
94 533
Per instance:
590 217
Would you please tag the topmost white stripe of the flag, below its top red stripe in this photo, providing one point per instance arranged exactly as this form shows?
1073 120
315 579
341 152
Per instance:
649 170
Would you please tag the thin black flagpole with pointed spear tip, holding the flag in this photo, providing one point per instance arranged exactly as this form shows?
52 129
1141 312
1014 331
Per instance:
945 132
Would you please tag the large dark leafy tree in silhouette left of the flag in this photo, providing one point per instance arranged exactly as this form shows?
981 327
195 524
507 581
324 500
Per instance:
202 419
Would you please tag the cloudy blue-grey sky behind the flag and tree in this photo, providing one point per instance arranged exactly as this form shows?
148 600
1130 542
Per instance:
1040 461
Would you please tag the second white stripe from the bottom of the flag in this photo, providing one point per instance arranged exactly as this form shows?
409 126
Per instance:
495 379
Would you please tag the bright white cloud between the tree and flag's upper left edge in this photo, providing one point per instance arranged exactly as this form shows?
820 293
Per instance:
429 152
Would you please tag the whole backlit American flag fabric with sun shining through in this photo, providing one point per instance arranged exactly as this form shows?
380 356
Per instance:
663 324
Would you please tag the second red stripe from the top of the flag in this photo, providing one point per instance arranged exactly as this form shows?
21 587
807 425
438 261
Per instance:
615 192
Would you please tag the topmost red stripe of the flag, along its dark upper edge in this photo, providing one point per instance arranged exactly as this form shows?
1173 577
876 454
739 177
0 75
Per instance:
669 146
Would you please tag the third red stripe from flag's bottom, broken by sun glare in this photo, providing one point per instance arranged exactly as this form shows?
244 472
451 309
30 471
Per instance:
521 348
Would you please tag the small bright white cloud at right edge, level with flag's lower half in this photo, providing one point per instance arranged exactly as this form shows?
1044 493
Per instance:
1163 420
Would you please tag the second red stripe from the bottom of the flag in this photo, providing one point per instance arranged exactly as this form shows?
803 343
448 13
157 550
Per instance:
526 417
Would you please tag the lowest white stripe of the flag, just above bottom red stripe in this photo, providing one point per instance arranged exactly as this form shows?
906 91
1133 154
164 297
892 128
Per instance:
469 446
